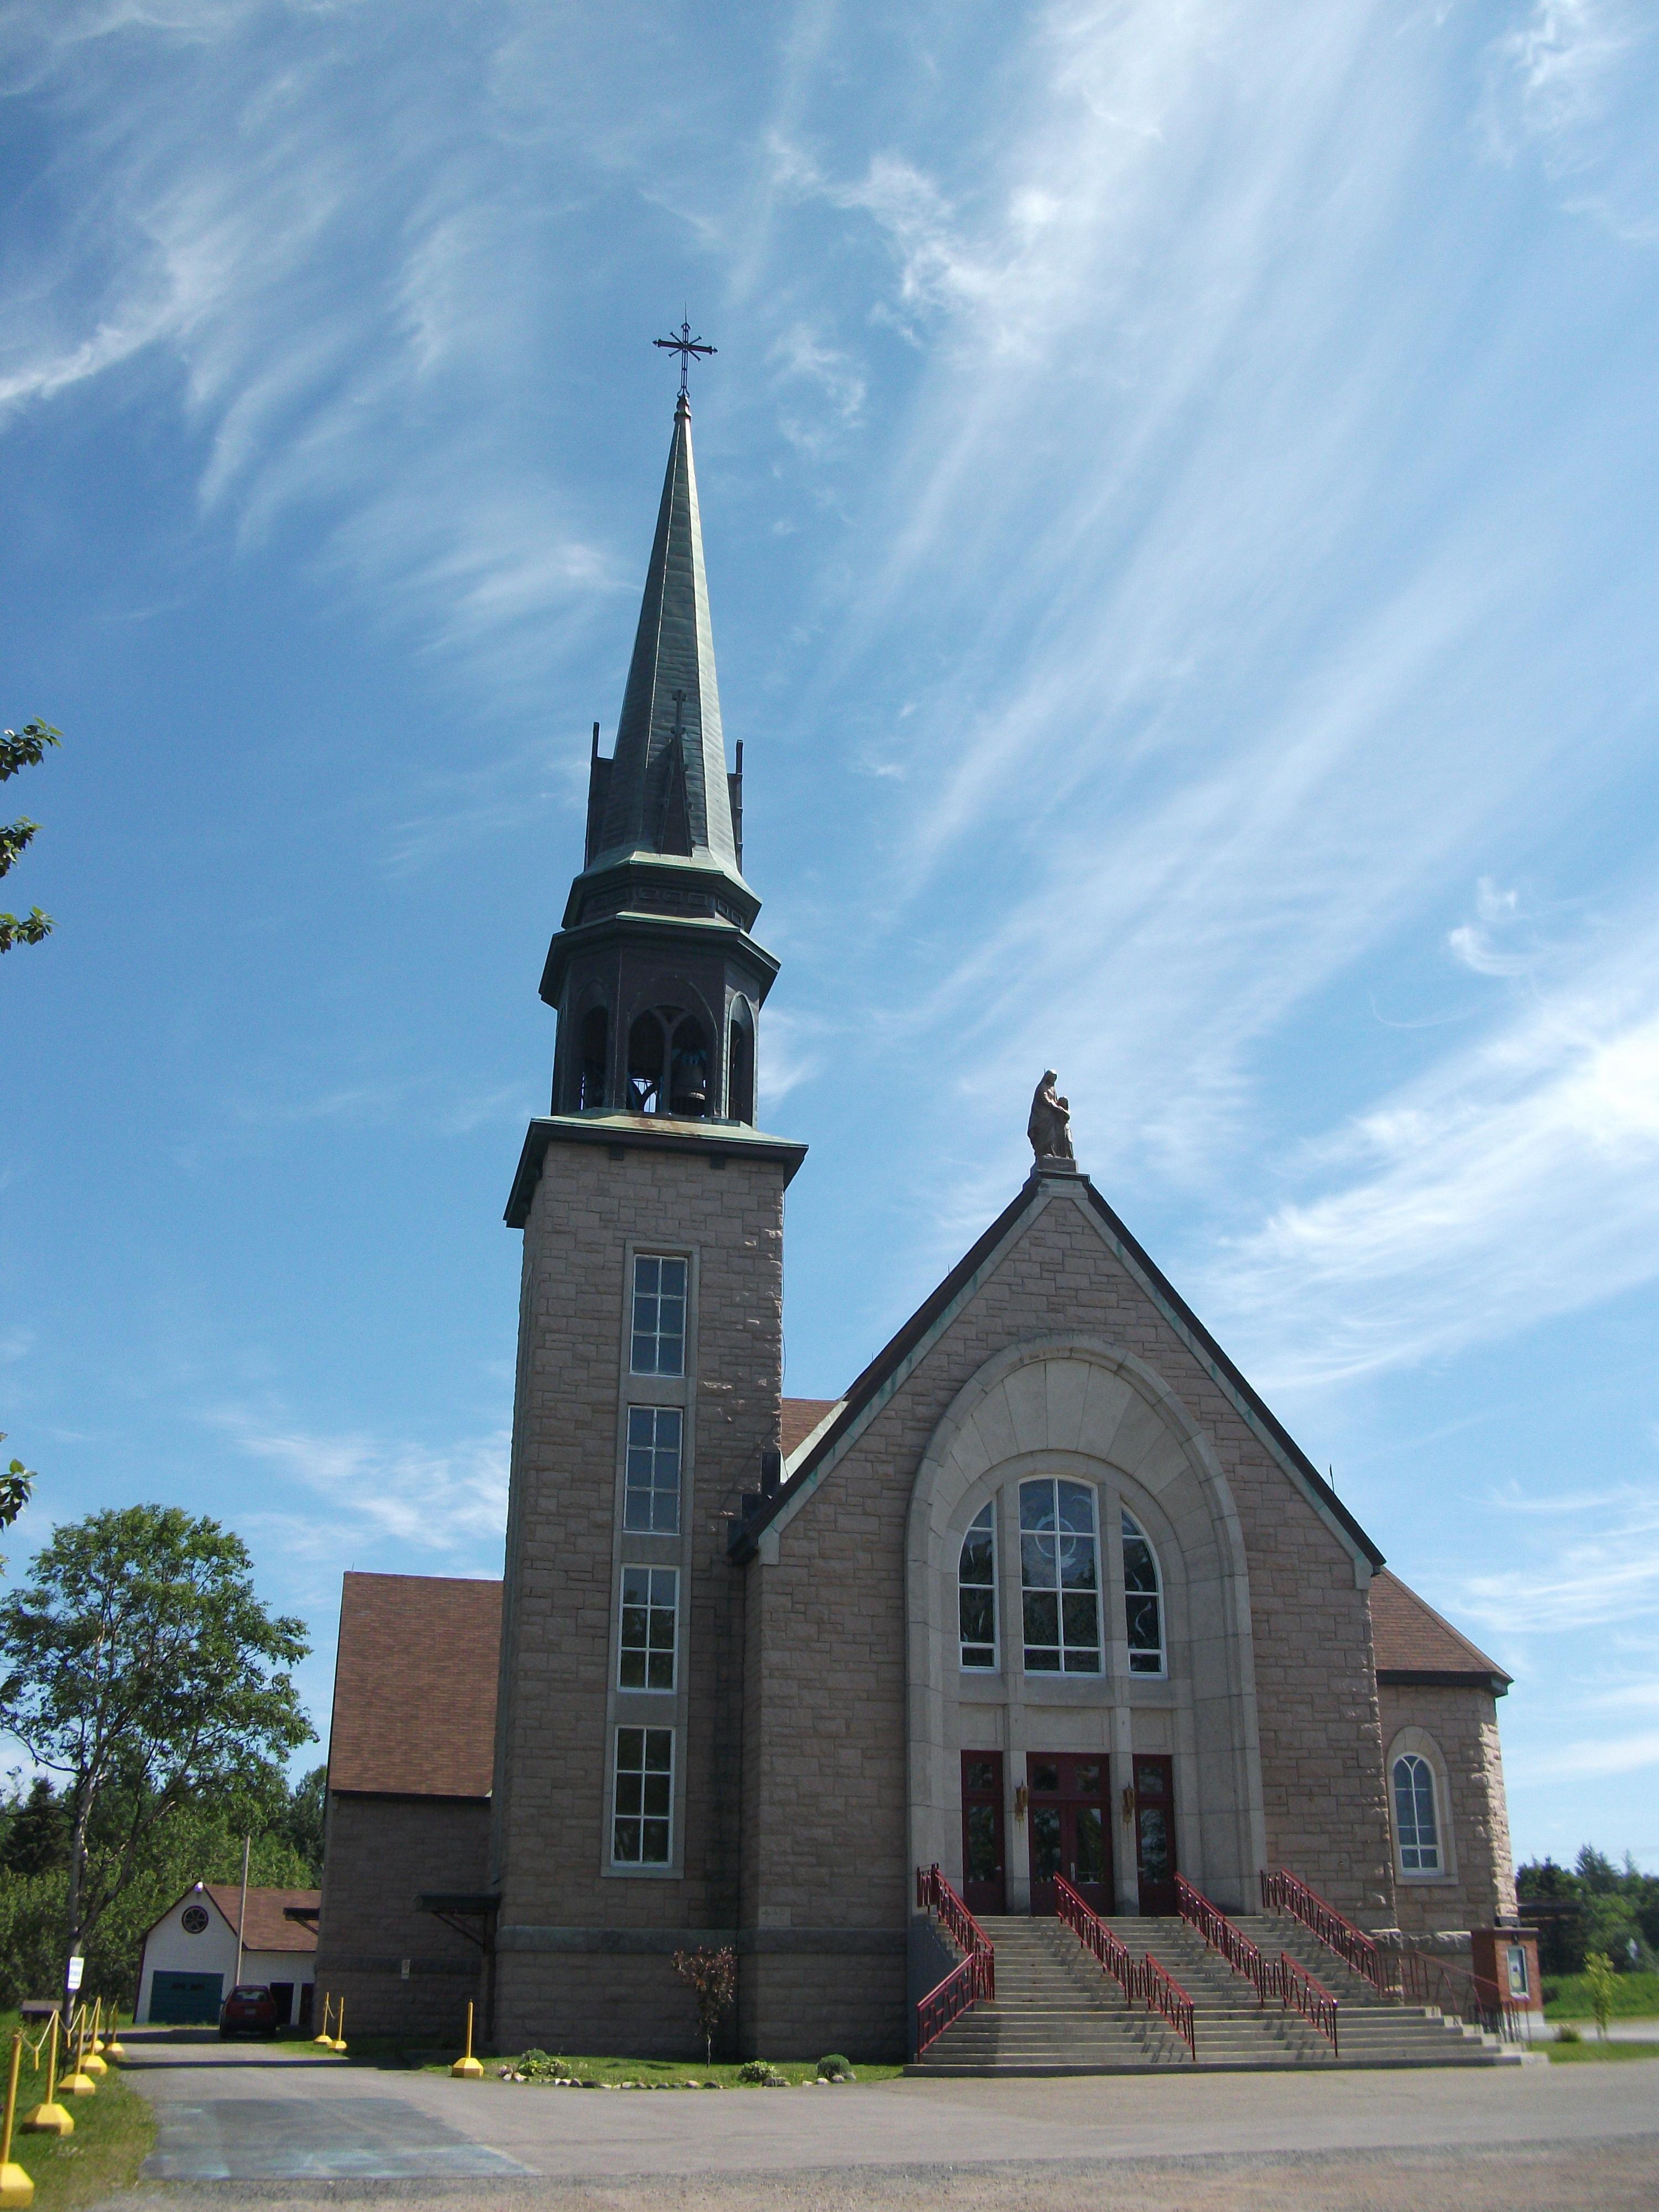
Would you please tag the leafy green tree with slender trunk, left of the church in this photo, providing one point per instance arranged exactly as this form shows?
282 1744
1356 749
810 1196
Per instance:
140 1665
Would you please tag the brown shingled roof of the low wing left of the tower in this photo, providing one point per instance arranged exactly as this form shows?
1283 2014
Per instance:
415 1687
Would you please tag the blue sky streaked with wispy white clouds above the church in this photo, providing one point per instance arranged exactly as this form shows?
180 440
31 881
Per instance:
1180 508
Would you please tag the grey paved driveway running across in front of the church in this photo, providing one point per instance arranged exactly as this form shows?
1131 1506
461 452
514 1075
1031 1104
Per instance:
304 2129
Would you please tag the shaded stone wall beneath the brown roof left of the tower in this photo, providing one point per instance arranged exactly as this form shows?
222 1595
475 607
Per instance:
382 1853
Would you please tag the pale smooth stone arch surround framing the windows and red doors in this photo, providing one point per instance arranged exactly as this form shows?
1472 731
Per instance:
1085 1408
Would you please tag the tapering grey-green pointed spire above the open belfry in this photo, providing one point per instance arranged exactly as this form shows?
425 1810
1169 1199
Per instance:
667 786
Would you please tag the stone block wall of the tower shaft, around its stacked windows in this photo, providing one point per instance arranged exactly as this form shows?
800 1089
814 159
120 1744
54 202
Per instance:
556 1700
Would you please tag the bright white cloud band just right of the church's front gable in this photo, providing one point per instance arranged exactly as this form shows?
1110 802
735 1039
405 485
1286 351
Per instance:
1512 1182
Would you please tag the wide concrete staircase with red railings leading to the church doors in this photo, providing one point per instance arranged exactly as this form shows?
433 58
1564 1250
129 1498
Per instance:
1058 2014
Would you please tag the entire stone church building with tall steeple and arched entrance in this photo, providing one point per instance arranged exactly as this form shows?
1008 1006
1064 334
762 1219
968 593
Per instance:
1045 1598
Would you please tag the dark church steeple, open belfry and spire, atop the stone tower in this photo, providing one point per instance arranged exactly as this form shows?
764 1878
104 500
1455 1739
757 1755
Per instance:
656 974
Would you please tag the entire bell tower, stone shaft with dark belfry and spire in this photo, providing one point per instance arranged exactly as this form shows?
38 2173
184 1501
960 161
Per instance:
649 1373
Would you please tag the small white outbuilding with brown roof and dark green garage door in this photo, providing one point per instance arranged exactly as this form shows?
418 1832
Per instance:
189 1963
